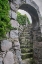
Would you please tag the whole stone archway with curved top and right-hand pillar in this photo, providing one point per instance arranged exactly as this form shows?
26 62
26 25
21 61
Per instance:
31 7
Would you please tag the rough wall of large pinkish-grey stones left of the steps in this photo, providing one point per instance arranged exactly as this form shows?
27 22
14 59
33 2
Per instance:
10 47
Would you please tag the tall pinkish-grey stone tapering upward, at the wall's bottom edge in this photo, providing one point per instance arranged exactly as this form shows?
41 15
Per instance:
9 59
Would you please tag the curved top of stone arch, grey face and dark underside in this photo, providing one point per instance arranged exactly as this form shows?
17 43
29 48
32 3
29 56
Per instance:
28 5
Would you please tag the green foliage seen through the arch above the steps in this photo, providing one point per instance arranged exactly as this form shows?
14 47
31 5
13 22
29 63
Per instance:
22 19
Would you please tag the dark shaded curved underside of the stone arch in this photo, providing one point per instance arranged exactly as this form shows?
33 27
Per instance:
33 13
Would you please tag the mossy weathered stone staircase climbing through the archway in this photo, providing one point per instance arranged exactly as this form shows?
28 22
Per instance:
26 46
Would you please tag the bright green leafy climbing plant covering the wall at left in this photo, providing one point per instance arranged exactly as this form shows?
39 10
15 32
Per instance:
5 25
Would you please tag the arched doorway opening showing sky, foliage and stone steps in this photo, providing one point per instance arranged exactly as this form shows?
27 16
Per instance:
25 37
